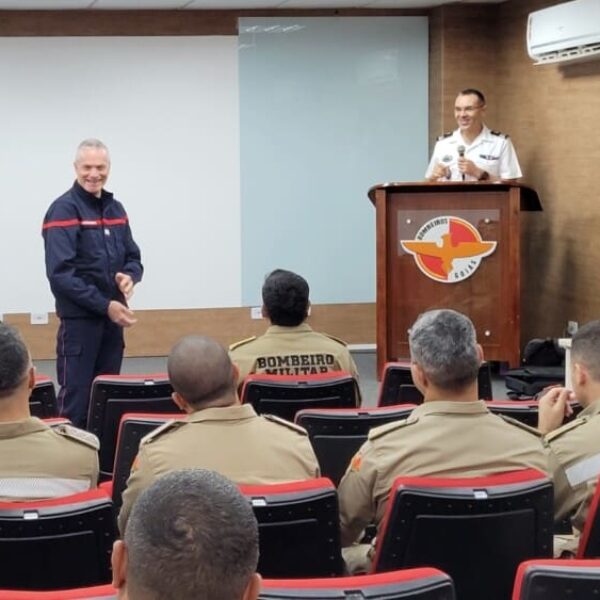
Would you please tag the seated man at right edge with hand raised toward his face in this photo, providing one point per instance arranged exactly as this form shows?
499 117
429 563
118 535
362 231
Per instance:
575 447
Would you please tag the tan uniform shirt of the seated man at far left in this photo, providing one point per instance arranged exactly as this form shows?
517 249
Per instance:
37 461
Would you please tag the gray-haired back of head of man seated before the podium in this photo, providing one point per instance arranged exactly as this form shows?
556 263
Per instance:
443 343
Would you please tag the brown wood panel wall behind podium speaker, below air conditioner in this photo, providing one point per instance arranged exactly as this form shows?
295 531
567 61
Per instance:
552 113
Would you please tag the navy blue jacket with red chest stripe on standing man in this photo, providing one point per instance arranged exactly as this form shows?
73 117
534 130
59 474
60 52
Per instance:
88 241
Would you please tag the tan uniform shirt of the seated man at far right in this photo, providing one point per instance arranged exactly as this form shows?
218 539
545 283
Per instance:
575 464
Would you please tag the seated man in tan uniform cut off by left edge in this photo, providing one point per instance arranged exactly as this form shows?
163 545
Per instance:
37 461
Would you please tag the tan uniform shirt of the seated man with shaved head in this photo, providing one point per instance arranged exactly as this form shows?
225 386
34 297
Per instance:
234 441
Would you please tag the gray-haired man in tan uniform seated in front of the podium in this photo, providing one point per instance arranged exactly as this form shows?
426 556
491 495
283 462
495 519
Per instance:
452 434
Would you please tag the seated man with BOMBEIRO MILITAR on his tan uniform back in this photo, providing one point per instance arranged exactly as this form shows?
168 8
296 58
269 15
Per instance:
289 346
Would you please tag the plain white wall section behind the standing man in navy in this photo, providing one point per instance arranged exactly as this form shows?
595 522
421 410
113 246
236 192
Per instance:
167 107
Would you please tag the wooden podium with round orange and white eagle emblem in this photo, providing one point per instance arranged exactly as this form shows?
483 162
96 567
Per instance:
435 249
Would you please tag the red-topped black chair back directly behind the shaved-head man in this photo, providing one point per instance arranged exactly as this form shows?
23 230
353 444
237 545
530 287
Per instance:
299 530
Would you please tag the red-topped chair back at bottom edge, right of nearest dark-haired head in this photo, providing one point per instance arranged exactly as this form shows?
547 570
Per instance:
409 584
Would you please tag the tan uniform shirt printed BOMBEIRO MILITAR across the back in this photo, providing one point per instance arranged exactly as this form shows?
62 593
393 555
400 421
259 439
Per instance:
291 351
